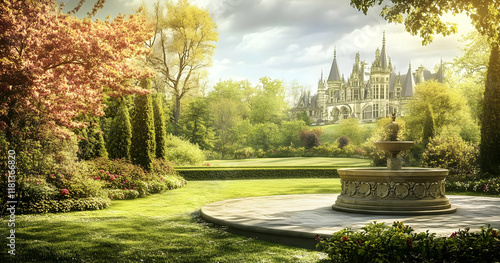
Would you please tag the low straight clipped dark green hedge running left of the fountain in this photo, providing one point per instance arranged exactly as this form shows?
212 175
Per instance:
239 173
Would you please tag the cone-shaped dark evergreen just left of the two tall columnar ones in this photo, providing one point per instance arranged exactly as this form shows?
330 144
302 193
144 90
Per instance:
120 133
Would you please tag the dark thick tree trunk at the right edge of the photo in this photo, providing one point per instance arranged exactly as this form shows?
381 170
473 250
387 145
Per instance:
490 117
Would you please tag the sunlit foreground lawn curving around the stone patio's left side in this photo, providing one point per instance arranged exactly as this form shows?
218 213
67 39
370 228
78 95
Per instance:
160 228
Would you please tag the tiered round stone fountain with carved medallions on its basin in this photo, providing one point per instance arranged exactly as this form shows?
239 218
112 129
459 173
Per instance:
393 190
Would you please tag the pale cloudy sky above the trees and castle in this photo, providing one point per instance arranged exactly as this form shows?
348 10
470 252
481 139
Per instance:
294 40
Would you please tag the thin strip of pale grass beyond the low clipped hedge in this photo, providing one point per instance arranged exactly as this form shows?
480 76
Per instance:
292 161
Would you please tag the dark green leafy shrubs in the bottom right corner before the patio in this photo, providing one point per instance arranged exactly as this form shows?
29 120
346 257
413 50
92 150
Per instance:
377 242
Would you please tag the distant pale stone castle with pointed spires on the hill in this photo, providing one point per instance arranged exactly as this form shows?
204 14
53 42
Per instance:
368 94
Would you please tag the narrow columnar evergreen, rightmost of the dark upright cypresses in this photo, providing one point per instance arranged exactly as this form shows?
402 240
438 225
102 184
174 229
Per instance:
160 127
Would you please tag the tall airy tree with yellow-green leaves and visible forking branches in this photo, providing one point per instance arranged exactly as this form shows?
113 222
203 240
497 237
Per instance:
183 48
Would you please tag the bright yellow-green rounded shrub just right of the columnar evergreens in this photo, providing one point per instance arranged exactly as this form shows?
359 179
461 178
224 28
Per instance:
183 152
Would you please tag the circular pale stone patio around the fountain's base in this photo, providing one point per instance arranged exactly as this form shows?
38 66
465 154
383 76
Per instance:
296 219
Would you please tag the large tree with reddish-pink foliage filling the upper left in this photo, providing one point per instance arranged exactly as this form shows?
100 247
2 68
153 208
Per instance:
55 67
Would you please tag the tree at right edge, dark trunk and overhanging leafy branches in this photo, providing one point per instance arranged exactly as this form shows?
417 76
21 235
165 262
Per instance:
425 18
